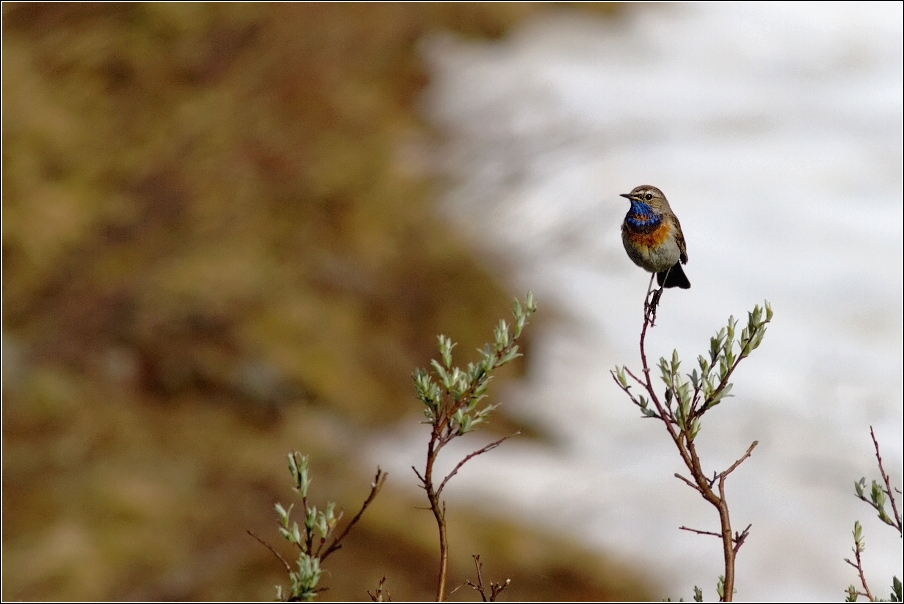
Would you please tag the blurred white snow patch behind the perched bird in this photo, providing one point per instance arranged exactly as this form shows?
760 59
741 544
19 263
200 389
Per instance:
775 131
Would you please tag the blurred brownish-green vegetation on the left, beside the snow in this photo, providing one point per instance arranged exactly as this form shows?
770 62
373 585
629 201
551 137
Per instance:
217 250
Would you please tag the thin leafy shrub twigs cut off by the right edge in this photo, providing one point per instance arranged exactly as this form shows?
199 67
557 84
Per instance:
879 495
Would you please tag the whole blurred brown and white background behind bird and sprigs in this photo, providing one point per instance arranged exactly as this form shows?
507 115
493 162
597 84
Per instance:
231 231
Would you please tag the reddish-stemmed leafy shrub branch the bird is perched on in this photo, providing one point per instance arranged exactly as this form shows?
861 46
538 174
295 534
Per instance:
681 409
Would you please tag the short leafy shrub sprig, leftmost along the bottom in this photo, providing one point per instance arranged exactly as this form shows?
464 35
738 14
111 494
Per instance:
312 539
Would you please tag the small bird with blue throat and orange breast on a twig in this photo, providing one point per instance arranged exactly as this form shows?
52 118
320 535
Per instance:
653 238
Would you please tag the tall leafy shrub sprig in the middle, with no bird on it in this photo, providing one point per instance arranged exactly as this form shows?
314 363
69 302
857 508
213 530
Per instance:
452 399
